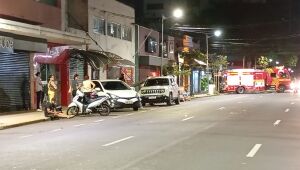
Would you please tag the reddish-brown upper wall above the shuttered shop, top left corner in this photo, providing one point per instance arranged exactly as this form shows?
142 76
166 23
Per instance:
32 12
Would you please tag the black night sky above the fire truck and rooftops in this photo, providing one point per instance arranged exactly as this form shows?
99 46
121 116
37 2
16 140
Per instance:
255 27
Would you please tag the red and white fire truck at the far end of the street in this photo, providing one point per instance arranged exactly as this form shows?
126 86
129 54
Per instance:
251 80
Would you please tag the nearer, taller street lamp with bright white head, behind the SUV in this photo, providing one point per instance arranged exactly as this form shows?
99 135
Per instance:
177 13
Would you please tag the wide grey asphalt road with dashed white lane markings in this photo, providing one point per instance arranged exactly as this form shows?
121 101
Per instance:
227 132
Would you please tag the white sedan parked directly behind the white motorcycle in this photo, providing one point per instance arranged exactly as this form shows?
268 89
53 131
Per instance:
123 96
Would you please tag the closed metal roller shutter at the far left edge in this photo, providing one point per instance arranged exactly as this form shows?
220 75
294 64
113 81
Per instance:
14 82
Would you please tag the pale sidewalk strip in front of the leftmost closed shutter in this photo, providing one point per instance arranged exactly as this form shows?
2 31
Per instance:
19 119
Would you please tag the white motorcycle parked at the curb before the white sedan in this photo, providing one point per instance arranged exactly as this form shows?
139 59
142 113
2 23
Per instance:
99 102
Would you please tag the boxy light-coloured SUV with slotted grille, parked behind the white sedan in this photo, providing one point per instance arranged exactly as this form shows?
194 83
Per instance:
160 90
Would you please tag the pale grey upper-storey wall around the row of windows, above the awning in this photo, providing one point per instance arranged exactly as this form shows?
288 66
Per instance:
113 12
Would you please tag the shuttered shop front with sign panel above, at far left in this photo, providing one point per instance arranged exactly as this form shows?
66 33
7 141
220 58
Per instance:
15 73
